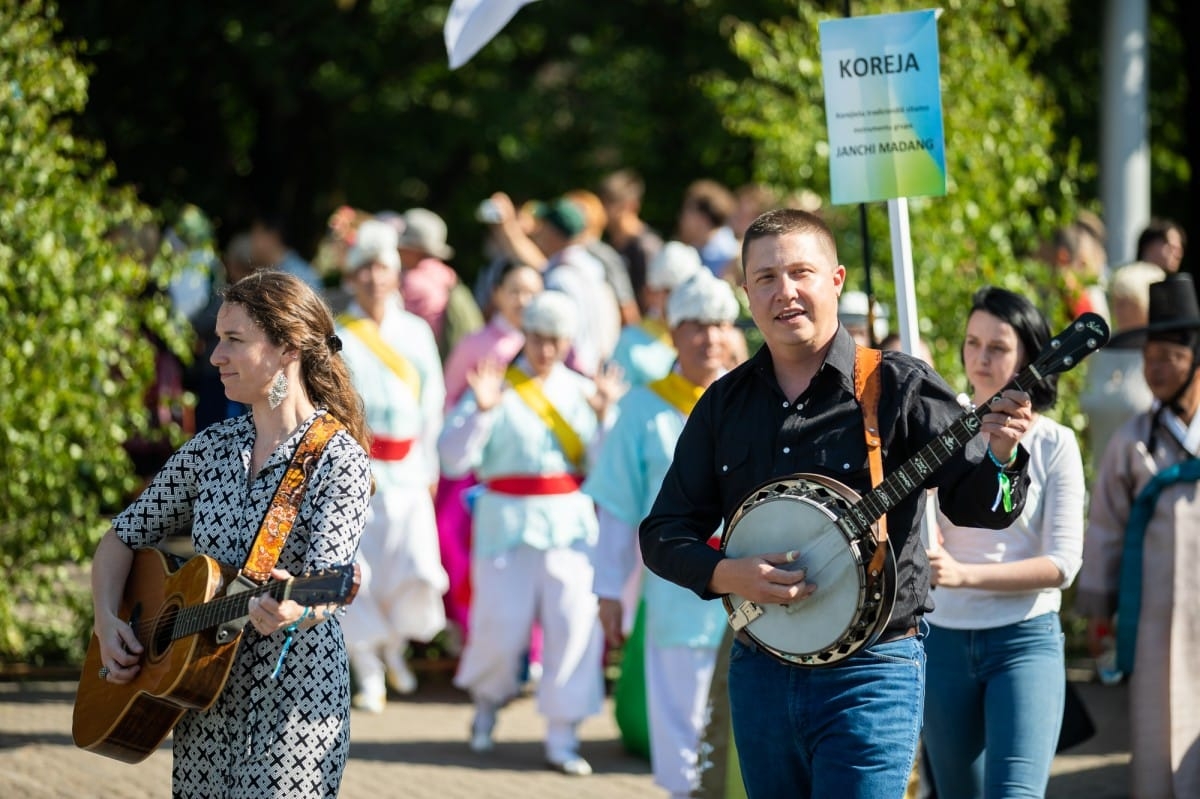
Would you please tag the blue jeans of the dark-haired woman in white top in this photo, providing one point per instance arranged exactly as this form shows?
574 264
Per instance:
994 708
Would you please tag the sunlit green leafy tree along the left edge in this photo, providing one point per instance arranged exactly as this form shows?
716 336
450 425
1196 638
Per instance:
74 361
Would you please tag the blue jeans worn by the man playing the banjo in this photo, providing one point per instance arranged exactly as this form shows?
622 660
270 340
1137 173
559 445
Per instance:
848 731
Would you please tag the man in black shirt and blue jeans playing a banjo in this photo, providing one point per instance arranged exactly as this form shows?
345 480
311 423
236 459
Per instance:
848 729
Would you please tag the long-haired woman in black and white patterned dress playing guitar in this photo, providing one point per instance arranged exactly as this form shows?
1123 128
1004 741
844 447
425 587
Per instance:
281 725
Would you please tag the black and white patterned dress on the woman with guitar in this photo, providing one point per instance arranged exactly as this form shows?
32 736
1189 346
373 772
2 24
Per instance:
285 737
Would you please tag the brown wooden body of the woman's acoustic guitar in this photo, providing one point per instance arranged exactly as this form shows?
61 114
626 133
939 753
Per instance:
128 723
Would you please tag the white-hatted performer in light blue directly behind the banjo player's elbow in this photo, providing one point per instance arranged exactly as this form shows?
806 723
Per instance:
682 632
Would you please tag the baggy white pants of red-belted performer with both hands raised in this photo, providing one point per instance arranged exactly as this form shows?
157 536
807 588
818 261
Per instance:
512 591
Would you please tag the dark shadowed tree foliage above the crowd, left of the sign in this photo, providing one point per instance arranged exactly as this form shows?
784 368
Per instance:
238 106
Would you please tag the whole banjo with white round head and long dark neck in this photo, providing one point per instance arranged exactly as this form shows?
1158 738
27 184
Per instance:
837 533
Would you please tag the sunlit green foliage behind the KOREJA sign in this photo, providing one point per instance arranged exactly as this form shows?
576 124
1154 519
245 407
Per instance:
1011 181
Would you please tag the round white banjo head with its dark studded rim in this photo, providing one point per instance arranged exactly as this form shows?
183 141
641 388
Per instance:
849 609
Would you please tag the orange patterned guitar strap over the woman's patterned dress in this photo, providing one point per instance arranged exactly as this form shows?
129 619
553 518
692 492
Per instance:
286 504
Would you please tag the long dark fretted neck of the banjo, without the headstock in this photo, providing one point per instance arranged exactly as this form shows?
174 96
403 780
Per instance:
914 474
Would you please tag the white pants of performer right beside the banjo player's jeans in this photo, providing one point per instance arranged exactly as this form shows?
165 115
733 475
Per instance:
677 681
